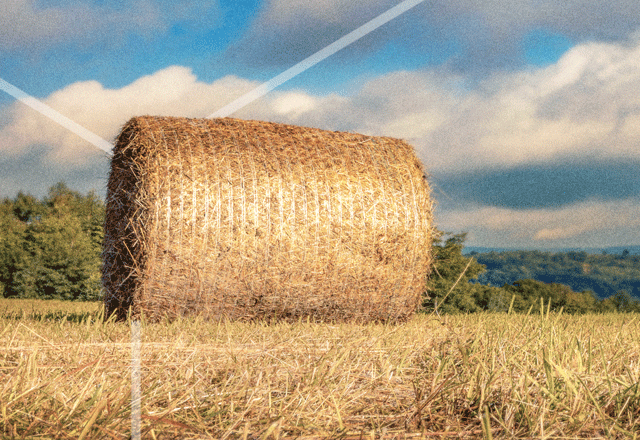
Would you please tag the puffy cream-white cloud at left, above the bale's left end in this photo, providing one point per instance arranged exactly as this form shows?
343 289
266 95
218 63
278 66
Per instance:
171 91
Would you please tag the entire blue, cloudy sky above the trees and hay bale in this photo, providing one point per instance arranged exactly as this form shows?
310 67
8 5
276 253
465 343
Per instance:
525 113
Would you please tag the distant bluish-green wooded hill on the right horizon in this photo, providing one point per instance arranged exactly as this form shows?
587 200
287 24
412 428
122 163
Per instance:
604 274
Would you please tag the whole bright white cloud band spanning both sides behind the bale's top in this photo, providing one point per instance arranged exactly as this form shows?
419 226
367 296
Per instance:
585 106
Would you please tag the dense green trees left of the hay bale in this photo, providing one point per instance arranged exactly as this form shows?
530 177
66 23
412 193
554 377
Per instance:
50 248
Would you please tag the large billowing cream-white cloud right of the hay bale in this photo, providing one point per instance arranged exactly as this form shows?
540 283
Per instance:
586 105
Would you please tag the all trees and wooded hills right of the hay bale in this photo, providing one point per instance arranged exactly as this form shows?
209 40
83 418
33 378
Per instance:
517 281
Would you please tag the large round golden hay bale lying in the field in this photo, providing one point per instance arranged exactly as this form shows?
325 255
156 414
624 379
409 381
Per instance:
246 219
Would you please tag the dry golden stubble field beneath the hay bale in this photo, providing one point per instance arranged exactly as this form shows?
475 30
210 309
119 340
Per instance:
66 374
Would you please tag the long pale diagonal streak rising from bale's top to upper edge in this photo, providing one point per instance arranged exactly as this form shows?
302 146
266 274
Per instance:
314 59
